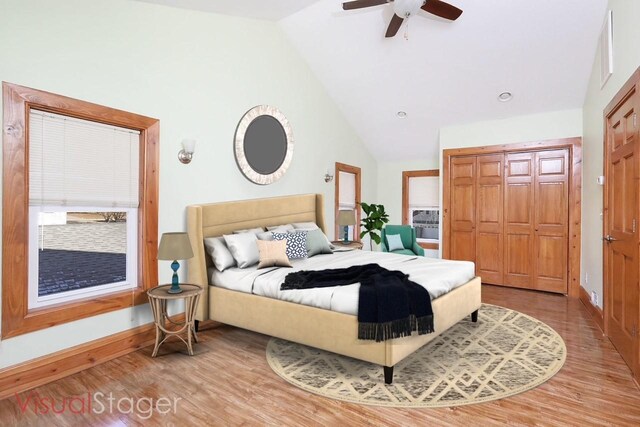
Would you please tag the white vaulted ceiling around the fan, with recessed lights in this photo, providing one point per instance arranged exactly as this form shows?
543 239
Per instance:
440 73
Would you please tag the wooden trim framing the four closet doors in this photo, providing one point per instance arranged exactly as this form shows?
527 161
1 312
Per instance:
574 145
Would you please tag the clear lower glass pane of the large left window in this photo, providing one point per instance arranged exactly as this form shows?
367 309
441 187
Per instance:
79 250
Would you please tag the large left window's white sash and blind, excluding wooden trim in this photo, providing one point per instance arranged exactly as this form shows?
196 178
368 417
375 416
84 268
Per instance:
80 242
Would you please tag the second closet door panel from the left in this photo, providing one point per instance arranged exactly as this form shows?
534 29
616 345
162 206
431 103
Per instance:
489 214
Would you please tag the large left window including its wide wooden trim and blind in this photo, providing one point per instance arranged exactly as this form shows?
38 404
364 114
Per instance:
80 232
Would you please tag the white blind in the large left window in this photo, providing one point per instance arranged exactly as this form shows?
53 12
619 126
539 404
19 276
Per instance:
77 162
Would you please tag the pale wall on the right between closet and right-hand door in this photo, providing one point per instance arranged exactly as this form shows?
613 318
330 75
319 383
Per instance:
626 50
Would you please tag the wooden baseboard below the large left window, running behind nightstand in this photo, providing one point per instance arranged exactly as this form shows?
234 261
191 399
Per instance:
43 370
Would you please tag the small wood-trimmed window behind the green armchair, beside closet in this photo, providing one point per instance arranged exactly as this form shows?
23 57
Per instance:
420 195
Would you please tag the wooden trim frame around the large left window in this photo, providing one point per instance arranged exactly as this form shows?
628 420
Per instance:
17 318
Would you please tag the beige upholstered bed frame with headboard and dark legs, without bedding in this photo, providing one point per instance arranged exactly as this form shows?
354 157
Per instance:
322 328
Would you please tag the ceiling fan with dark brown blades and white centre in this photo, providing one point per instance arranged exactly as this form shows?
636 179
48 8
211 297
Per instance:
403 9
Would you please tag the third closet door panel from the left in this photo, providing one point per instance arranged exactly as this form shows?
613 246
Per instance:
519 220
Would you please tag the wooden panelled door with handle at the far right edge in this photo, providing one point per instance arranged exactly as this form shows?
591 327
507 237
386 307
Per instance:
620 227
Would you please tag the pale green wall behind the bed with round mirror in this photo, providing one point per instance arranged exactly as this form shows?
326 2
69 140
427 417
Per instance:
196 72
